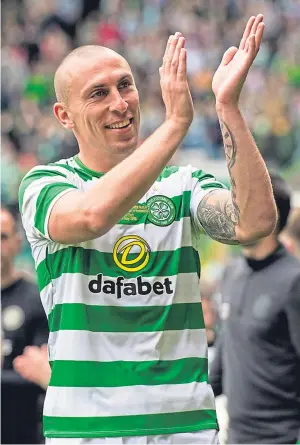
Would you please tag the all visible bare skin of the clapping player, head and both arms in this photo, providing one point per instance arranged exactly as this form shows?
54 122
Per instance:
87 109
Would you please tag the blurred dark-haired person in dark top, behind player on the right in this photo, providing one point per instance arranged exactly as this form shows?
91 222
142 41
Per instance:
257 358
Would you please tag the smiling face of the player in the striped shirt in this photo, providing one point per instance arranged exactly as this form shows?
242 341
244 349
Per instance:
102 106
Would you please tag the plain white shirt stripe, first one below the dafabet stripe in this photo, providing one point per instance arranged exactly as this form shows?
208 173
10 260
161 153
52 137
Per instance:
135 346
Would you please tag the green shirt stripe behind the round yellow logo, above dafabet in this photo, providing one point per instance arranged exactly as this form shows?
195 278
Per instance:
92 262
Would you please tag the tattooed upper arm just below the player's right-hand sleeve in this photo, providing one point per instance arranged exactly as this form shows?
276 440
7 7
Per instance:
218 217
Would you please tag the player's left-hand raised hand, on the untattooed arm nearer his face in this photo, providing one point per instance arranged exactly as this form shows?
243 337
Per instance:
173 80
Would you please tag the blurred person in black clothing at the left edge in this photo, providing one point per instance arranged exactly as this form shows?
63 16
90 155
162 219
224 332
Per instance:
23 323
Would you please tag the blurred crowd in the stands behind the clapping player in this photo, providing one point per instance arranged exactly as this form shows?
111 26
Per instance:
37 35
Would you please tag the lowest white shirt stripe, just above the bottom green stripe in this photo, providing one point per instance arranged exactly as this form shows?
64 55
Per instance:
128 400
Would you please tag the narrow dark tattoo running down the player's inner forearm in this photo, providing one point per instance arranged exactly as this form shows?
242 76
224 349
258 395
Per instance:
230 152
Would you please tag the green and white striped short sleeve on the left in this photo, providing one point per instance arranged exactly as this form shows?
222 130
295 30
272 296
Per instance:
38 192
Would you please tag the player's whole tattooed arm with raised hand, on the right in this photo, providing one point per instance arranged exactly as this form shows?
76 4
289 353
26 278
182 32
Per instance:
239 218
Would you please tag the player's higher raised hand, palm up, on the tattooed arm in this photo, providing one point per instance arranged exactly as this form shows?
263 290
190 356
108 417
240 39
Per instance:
230 76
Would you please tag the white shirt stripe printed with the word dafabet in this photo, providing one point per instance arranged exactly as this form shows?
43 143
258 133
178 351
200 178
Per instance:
74 288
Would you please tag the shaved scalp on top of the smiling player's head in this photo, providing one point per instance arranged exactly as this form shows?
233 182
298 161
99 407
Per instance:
67 69
